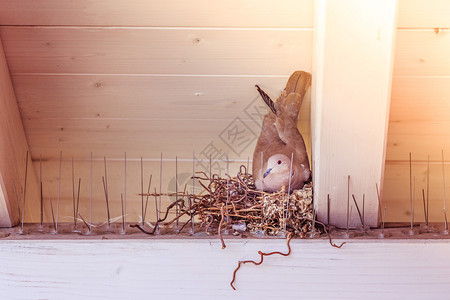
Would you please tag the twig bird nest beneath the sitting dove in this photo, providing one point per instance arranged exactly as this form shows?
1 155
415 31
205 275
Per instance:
233 205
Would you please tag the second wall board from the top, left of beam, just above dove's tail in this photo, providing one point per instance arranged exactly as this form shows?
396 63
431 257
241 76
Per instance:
156 51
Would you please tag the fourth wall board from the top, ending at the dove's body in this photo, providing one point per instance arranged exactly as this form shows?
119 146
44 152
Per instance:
137 137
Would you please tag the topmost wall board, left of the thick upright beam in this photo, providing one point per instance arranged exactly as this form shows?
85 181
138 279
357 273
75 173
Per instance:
234 13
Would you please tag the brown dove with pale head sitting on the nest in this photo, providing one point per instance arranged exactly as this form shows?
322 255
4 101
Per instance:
280 140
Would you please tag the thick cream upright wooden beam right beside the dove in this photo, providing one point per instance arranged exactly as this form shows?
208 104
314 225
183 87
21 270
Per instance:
352 69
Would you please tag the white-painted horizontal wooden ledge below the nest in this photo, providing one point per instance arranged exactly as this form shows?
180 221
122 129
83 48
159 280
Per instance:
200 269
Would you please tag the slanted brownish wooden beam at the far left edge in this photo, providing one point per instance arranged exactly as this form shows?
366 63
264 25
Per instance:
13 148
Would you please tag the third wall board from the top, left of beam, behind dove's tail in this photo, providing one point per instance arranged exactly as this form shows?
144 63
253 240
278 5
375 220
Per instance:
143 97
